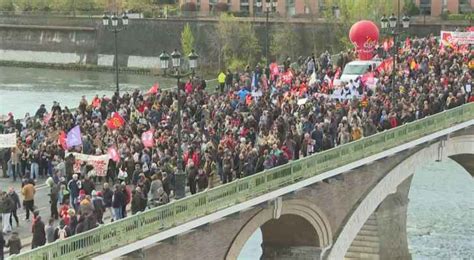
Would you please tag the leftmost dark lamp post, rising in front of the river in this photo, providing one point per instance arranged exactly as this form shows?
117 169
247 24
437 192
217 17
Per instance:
115 24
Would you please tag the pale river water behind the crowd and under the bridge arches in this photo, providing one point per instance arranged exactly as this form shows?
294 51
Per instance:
441 208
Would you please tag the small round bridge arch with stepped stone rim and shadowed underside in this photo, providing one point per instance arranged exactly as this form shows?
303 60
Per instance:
295 215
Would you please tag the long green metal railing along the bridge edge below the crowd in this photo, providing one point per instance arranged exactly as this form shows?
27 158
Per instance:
153 221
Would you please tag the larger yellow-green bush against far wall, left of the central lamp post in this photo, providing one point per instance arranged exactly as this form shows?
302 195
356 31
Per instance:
237 40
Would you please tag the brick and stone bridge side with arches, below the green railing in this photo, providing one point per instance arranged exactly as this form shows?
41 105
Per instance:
359 214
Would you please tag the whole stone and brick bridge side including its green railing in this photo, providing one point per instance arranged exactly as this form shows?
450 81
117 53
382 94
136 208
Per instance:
349 202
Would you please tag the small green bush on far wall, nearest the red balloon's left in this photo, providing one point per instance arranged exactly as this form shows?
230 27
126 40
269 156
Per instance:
285 42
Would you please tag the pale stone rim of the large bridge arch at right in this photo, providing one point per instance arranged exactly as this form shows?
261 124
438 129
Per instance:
459 148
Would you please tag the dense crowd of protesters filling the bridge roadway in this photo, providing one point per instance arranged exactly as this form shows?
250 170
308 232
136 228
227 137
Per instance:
255 121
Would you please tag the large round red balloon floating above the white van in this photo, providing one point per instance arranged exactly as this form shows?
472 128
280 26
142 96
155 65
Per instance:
364 35
